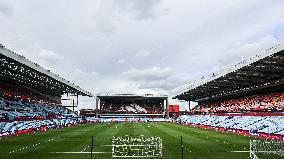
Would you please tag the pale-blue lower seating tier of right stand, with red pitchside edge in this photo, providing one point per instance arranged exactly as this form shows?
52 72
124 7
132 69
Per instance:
262 126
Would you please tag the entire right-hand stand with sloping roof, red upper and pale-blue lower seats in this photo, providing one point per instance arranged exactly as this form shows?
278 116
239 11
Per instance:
247 98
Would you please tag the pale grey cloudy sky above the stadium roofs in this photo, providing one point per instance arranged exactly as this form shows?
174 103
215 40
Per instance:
139 46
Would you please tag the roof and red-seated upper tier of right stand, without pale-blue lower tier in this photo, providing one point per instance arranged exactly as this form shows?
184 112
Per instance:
256 84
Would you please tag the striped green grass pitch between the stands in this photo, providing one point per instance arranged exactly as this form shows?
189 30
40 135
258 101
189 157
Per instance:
198 143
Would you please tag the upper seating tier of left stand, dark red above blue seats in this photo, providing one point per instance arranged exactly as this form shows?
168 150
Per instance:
18 102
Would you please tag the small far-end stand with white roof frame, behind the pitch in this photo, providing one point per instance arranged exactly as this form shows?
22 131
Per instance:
130 105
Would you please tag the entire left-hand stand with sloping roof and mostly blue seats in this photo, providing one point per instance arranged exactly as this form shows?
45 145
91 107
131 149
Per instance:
30 96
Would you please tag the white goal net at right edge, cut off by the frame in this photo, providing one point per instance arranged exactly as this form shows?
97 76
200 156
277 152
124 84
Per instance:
267 147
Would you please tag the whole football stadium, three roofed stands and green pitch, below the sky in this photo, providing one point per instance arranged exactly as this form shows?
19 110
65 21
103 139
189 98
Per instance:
239 114
